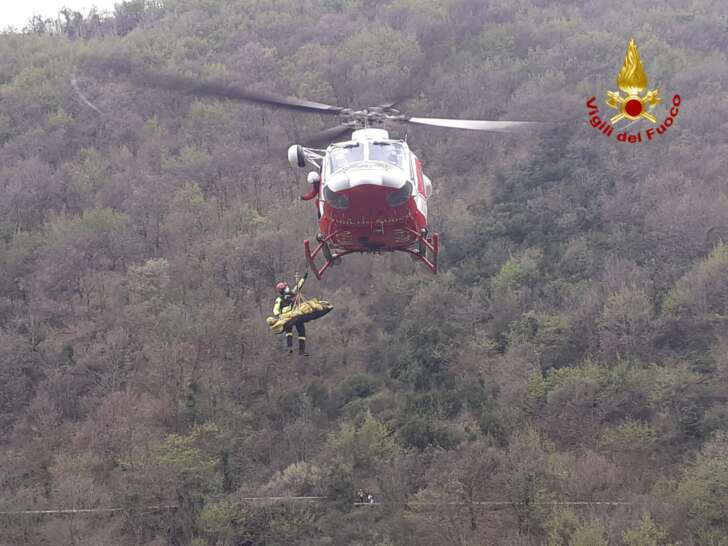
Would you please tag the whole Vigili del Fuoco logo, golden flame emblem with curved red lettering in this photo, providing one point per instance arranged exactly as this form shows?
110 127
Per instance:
636 104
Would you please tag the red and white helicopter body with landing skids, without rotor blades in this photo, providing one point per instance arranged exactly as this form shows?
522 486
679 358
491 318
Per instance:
372 197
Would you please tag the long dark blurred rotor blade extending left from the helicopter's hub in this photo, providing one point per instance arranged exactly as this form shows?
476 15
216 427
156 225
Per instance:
224 90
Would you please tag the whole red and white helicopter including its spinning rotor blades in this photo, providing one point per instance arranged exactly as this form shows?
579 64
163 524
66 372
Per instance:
369 190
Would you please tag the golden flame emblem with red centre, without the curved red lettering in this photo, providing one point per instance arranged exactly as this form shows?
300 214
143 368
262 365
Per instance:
632 79
